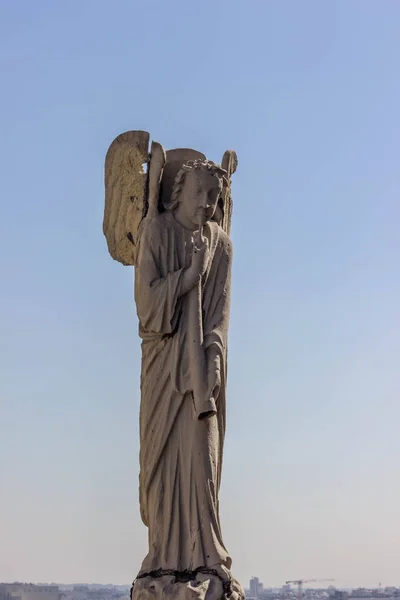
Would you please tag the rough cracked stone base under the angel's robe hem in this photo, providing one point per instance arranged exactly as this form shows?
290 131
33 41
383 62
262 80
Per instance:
186 586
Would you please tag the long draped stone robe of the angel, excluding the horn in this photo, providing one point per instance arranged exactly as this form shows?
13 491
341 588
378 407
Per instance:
180 455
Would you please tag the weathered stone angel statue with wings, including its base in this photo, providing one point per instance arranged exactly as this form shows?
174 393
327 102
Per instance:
168 214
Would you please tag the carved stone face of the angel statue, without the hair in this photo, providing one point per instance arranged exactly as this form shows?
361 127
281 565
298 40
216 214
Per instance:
199 197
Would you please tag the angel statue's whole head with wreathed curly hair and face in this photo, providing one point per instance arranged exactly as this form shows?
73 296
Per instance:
196 191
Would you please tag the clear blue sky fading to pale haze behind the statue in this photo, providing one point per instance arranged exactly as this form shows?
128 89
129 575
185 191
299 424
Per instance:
308 93
